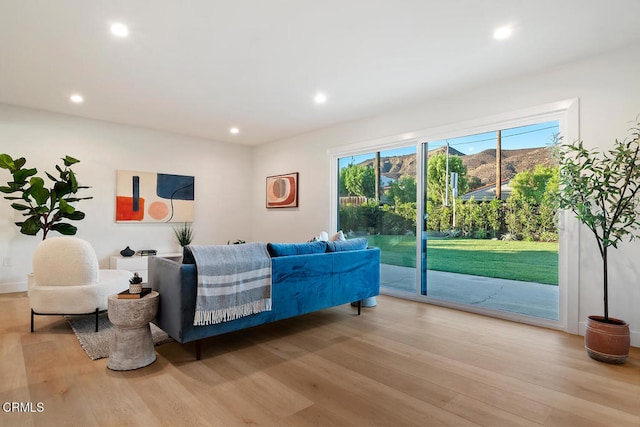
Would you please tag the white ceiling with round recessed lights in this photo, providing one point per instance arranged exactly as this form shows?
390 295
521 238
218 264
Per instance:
199 67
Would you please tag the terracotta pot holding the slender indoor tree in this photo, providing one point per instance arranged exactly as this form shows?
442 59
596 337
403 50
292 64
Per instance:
607 341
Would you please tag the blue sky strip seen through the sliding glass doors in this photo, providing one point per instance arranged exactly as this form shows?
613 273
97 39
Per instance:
532 136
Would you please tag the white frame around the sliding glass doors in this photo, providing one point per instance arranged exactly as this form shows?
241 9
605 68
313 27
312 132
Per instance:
566 112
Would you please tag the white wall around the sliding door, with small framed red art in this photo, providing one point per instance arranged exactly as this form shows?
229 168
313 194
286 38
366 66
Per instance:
609 91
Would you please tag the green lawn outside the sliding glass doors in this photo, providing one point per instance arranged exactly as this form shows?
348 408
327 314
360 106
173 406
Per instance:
516 260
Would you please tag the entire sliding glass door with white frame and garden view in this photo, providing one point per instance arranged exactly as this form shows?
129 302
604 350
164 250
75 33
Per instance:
462 214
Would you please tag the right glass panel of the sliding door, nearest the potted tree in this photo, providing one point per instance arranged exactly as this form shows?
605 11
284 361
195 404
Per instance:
488 232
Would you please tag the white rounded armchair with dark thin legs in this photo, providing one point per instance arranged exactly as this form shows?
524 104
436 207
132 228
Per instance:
67 279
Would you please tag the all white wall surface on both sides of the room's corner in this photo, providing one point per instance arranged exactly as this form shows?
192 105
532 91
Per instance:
231 201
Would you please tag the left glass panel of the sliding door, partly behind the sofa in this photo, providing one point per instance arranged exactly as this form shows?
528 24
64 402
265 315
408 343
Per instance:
377 200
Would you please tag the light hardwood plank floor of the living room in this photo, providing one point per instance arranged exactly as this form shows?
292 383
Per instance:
401 363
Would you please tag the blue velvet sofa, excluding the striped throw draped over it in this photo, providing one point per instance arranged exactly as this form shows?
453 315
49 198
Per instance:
303 280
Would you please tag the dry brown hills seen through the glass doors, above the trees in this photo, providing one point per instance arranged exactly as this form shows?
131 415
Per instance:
481 165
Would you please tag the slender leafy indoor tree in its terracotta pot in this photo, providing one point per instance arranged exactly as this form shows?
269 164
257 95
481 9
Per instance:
603 191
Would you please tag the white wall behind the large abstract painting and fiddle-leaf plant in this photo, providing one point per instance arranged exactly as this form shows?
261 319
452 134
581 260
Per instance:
222 183
